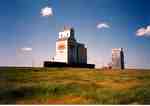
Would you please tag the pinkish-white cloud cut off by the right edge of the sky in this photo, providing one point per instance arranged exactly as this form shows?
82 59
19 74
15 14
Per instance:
143 31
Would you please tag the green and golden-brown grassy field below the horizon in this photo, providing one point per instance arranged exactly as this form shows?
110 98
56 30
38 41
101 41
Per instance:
73 86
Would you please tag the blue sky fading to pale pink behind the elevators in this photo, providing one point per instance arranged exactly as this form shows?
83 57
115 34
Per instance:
22 26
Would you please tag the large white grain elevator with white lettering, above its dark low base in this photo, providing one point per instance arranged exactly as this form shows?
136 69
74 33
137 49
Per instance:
68 50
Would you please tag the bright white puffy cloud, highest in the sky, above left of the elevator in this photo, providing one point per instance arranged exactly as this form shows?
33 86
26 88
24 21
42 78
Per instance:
46 11
